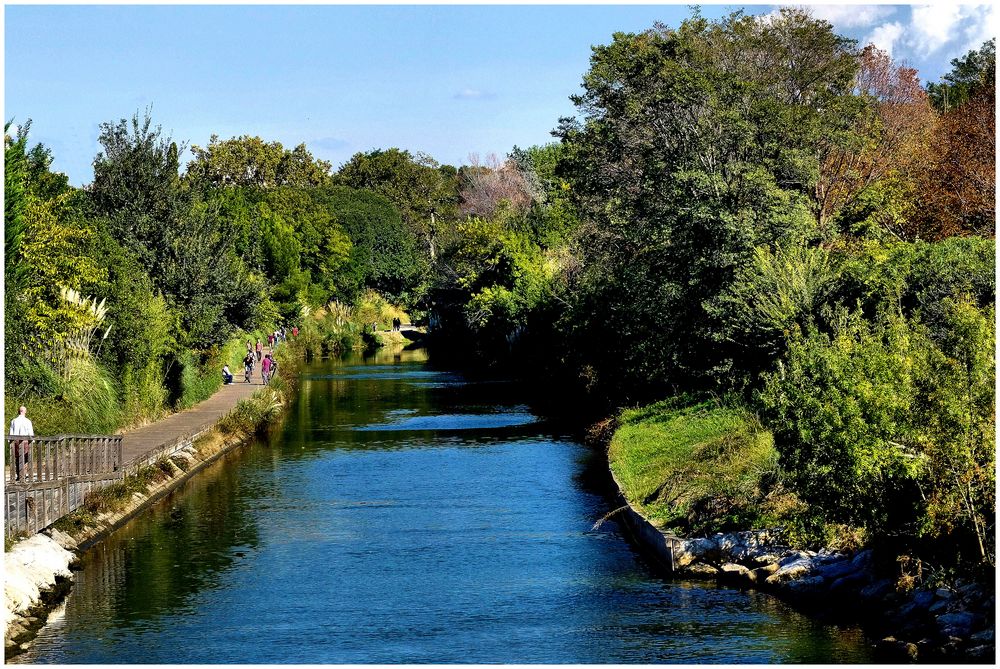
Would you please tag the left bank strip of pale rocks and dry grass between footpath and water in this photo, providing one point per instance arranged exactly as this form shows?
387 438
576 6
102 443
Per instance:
38 569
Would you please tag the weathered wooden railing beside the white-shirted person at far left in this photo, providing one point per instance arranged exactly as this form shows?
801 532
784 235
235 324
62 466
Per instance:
46 478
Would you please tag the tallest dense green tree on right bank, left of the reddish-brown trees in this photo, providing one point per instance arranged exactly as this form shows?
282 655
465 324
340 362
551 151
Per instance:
696 146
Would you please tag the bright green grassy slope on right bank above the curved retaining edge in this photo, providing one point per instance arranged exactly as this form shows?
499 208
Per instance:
698 467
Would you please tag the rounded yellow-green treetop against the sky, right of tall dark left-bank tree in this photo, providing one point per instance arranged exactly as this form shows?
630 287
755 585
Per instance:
250 161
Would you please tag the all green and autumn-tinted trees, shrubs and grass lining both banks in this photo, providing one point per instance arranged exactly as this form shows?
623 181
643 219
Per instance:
771 245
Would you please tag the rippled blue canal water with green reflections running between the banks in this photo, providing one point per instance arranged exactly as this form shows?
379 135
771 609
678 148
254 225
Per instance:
404 513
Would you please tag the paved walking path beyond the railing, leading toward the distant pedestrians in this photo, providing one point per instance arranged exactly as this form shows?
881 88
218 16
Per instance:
147 443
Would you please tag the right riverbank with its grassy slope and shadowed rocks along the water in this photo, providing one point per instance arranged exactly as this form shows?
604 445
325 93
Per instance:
660 484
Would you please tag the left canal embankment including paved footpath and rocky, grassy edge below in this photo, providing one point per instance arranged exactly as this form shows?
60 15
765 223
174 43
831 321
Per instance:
160 458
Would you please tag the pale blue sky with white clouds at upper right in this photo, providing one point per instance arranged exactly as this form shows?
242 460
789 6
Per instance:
445 80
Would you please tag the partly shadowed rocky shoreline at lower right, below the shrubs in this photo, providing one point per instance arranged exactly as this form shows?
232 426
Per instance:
938 625
